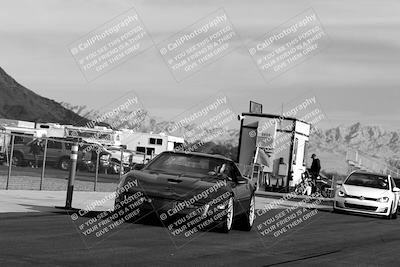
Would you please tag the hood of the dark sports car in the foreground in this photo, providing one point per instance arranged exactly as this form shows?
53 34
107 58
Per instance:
182 187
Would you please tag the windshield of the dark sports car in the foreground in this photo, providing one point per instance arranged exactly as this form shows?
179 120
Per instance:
185 163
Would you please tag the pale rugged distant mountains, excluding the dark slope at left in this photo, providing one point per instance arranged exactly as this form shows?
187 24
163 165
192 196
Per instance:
331 145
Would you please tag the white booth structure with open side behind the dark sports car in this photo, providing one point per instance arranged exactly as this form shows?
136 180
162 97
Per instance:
273 150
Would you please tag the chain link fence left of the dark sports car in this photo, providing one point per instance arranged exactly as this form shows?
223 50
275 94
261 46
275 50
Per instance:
32 163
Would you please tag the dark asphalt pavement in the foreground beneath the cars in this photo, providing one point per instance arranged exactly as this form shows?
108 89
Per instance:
329 239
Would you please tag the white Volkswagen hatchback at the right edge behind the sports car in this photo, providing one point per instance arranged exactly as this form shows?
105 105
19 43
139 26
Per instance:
368 193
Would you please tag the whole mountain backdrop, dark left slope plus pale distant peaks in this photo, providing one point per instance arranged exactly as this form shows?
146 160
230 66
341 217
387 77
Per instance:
331 145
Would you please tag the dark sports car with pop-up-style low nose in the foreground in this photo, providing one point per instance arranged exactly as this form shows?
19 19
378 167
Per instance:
198 189
